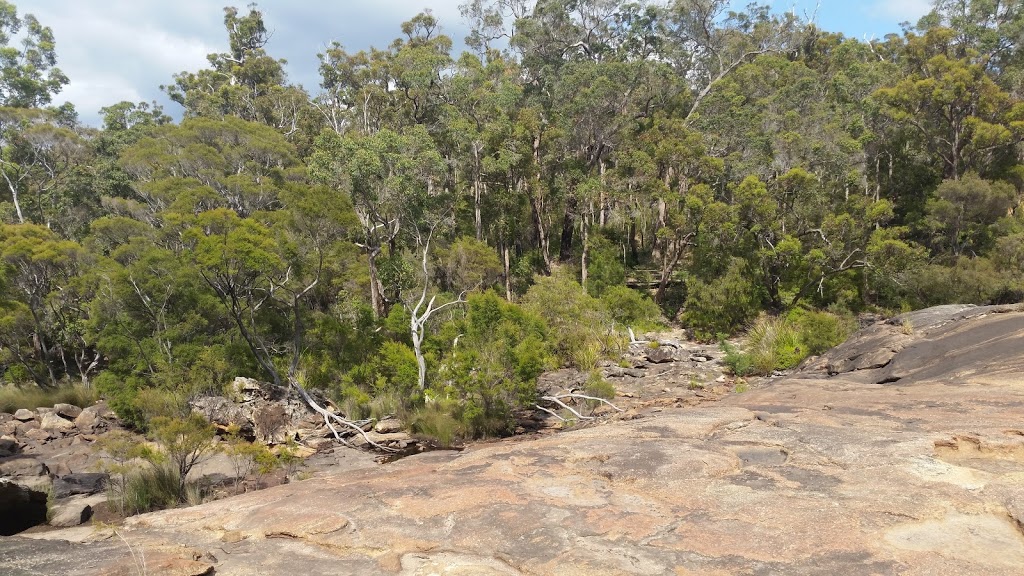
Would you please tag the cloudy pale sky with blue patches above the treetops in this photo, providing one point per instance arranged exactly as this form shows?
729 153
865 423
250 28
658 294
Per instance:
116 51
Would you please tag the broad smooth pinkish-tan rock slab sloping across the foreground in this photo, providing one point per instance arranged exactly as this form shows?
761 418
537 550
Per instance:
827 473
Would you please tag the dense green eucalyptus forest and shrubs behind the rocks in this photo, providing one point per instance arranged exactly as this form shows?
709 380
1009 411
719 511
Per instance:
430 231
